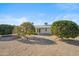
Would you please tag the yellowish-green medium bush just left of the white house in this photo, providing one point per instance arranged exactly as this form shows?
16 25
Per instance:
25 28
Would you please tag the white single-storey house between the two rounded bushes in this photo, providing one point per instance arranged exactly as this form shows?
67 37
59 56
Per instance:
43 29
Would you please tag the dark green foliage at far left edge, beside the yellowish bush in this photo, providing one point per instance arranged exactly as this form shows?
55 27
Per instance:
6 29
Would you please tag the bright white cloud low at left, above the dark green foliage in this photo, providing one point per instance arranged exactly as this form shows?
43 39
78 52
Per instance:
12 20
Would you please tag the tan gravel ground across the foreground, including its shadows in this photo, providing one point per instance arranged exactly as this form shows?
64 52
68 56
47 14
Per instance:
38 46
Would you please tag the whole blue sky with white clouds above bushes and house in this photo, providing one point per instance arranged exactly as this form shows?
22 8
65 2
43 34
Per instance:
38 13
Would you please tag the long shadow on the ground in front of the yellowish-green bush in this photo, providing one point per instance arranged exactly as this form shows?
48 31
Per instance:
36 40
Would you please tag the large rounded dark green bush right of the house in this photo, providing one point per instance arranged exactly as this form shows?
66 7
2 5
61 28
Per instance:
65 29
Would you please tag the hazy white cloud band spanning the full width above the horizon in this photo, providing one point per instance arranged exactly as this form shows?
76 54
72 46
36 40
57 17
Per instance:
37 20
